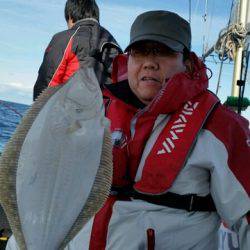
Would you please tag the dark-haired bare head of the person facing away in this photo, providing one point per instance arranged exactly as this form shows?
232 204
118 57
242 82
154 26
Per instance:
76 10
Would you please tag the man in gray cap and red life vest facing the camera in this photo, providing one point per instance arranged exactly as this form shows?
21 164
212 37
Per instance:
181 159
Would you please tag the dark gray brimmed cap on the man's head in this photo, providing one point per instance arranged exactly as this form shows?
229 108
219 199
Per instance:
161 26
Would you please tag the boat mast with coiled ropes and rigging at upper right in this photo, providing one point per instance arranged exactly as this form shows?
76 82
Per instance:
233 45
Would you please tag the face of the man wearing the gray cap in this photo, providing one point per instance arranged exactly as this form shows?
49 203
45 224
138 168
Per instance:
150 65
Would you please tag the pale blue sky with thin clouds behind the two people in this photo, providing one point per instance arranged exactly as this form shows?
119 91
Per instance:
27 27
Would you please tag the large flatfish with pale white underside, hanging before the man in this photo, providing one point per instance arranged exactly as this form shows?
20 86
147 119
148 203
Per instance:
64 169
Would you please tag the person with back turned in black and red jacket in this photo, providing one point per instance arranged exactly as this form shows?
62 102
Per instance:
67 49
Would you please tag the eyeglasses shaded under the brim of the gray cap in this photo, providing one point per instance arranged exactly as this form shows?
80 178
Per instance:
154 49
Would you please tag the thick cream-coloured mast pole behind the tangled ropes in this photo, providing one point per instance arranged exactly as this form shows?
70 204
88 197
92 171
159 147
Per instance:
238 58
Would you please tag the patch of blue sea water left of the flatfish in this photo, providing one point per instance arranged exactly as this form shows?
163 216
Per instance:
10 116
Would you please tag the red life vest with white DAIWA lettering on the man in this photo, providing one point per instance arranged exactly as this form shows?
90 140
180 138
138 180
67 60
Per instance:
188 102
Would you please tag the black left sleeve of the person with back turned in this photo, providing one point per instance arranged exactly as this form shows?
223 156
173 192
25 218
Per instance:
51 60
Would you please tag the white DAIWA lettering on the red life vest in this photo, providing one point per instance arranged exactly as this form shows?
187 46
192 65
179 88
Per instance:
177 129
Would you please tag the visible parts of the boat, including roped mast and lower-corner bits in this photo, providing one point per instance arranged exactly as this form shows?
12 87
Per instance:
238 28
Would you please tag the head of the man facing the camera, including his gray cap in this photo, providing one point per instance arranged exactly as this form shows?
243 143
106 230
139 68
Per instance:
159 46
